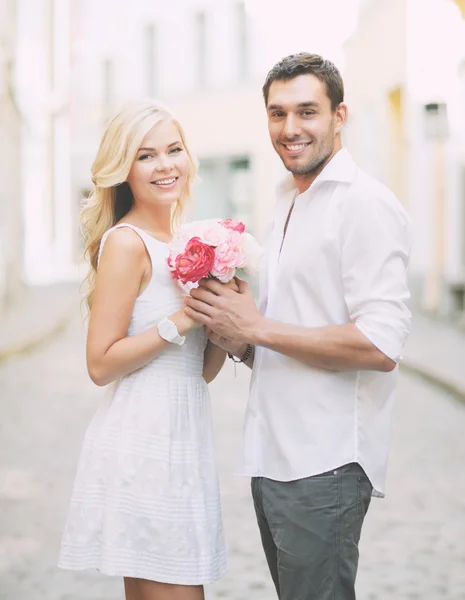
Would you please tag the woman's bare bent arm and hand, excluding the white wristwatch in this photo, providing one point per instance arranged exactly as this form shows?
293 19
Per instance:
123 269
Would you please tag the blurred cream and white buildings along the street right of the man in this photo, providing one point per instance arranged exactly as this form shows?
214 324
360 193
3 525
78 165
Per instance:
405 79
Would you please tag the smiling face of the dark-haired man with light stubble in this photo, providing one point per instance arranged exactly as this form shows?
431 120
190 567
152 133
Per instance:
303 127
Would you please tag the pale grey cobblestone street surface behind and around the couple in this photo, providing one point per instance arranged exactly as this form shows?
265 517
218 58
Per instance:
413 544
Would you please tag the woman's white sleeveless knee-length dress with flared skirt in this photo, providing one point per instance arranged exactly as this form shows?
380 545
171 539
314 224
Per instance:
146 501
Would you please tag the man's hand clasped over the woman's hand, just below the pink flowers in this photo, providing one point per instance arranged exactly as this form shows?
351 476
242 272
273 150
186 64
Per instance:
230 314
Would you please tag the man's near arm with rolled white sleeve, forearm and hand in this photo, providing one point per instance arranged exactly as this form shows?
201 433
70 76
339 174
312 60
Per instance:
375 243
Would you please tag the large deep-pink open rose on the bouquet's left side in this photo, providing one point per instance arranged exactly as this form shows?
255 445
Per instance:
195 263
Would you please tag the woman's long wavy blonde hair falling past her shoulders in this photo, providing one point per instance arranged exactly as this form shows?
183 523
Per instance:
111 197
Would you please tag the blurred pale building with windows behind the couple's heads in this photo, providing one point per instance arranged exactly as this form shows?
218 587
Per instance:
206 60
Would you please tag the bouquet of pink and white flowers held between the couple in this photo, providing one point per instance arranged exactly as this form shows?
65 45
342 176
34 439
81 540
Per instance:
212 248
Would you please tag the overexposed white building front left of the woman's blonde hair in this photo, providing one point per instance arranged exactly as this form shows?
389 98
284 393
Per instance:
42 84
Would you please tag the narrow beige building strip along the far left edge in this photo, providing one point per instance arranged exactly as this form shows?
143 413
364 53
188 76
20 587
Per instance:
10 205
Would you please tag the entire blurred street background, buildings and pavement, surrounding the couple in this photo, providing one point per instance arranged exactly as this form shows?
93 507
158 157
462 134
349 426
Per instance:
65 67
